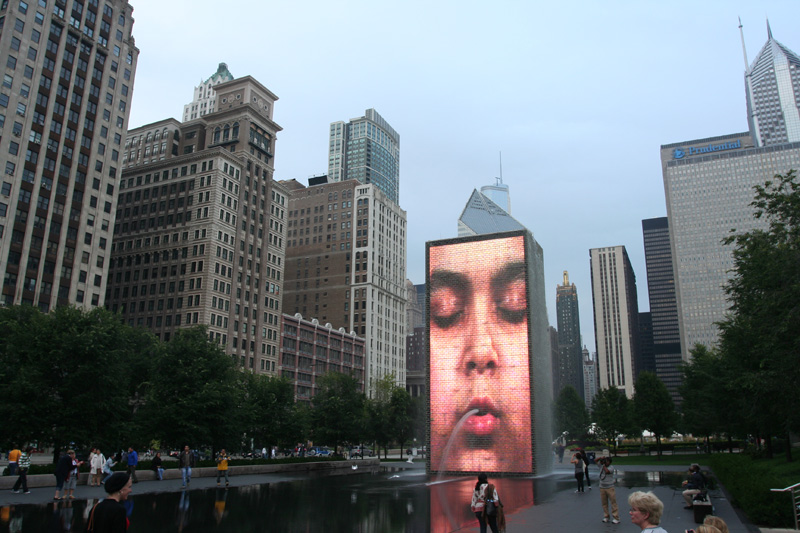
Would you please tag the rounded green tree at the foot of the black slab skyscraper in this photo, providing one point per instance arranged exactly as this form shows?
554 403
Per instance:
653 407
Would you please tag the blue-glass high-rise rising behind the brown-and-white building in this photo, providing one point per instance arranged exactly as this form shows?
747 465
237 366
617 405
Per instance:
366 149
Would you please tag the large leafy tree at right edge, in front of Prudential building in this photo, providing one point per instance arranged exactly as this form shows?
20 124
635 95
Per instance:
760 335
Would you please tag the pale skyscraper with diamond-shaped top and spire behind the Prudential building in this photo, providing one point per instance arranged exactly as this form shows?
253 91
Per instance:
772 84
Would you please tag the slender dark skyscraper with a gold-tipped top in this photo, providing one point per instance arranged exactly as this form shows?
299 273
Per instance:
570 357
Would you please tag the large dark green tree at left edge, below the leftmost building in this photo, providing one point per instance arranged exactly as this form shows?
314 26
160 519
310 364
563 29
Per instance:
67 376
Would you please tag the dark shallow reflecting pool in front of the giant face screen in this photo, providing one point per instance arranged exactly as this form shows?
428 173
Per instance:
377 499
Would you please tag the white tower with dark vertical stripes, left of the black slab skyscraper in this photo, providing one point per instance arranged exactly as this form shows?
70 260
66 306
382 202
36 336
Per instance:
616 317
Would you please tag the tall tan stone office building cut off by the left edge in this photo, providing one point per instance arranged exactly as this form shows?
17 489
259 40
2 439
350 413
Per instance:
67 88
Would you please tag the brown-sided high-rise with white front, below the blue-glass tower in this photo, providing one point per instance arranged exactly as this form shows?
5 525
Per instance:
346 265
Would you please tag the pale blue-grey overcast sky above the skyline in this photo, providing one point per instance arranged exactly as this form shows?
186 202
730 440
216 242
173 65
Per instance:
578 97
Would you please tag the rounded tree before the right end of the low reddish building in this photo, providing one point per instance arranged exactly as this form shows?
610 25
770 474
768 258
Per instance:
338 410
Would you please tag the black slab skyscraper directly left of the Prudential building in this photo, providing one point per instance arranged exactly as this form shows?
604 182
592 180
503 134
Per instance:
663 304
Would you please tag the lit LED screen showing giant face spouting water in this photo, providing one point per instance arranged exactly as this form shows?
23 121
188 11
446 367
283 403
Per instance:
480 368
